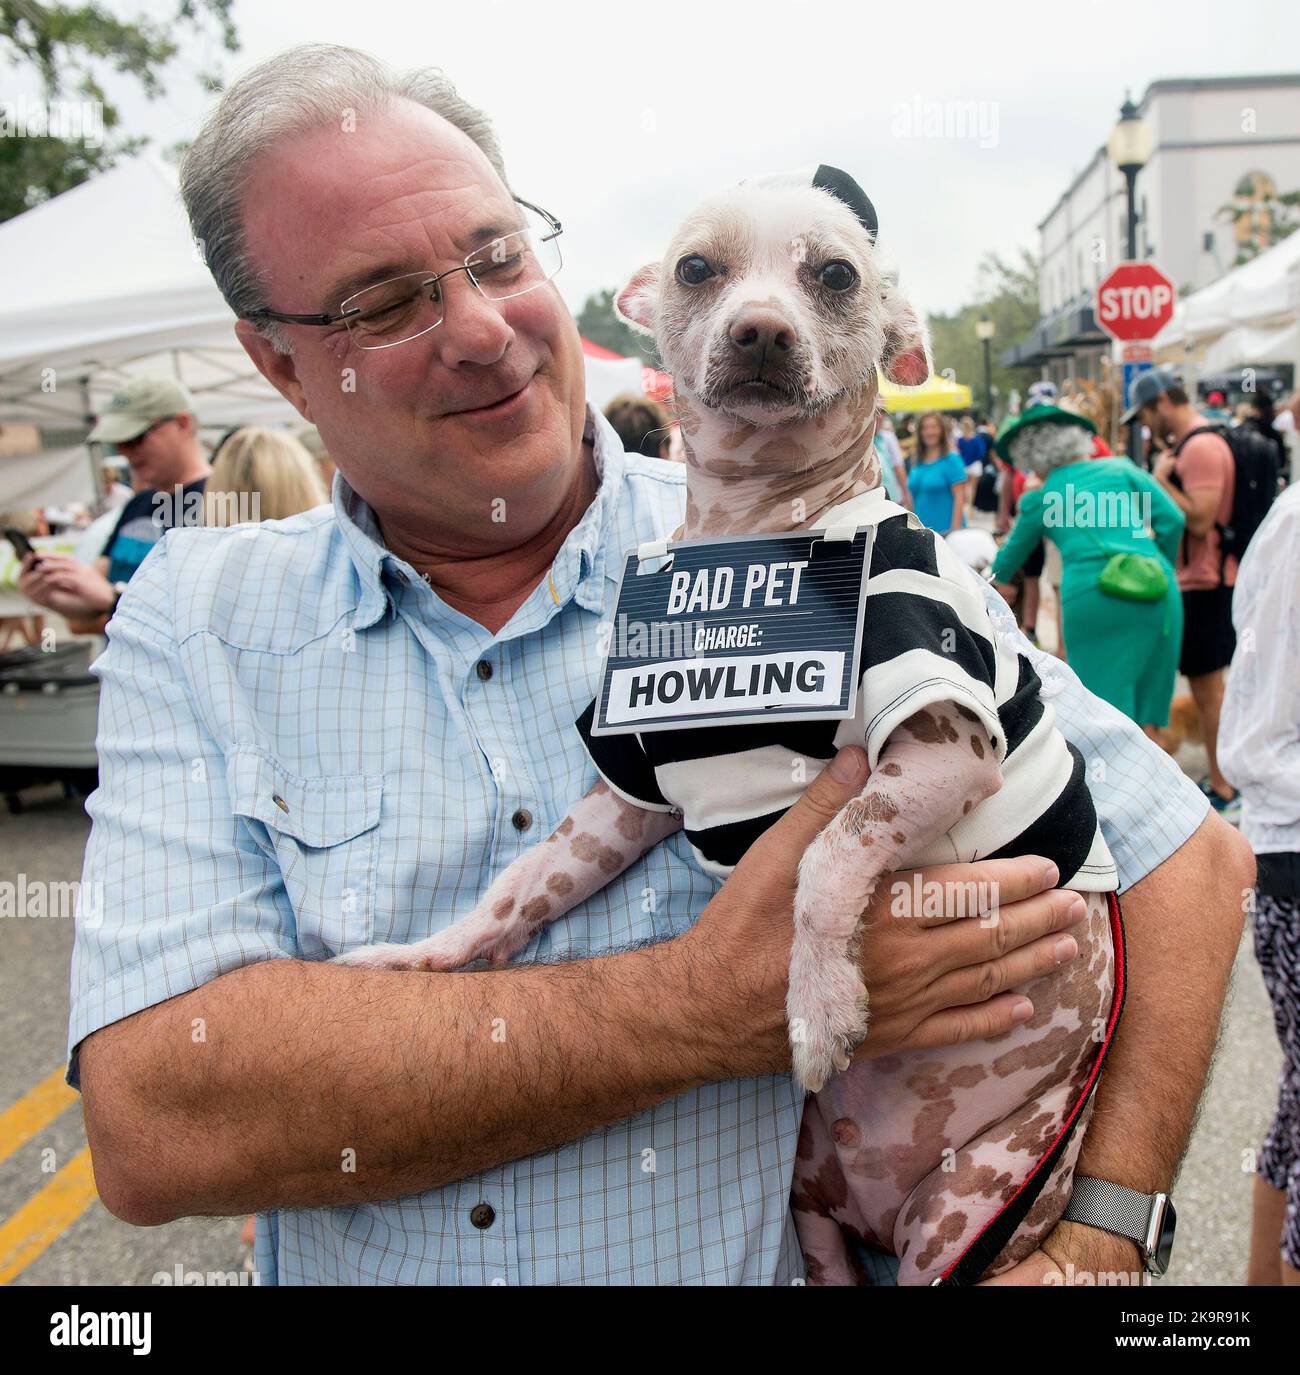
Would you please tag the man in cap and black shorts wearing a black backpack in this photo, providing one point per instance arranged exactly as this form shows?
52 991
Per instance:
1224 486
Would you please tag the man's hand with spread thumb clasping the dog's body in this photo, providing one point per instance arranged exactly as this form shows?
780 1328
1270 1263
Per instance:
932 980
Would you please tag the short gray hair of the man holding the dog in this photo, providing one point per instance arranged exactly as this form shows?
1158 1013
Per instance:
305 89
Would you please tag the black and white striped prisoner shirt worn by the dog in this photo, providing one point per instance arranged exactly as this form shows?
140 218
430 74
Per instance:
928 639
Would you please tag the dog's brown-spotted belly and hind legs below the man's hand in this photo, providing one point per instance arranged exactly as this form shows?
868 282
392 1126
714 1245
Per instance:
914 1154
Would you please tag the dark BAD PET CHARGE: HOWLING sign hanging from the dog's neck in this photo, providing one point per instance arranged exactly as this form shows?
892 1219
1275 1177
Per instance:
733 632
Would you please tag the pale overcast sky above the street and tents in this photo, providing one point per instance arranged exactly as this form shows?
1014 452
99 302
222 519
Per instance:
618 118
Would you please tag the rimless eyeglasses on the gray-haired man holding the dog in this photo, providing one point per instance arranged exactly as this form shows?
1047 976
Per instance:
407 307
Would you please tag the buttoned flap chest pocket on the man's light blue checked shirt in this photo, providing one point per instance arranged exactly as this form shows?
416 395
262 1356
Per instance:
323 833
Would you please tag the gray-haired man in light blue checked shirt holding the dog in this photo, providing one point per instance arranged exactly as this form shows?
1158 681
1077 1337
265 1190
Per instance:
360 717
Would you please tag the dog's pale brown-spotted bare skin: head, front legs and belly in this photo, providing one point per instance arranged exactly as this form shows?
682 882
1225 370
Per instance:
911 1153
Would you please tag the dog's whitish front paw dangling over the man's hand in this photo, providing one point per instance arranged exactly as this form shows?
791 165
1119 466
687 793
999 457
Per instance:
826 1013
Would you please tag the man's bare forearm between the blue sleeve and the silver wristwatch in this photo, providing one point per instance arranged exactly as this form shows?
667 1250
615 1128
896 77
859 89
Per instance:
1182 927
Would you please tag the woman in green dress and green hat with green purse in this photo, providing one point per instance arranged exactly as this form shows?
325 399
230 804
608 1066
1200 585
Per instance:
1123 650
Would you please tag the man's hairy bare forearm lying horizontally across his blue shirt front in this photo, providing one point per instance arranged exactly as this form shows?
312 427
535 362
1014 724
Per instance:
314 1086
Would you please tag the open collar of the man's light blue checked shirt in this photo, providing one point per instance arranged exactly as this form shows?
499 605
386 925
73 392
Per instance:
578 573
